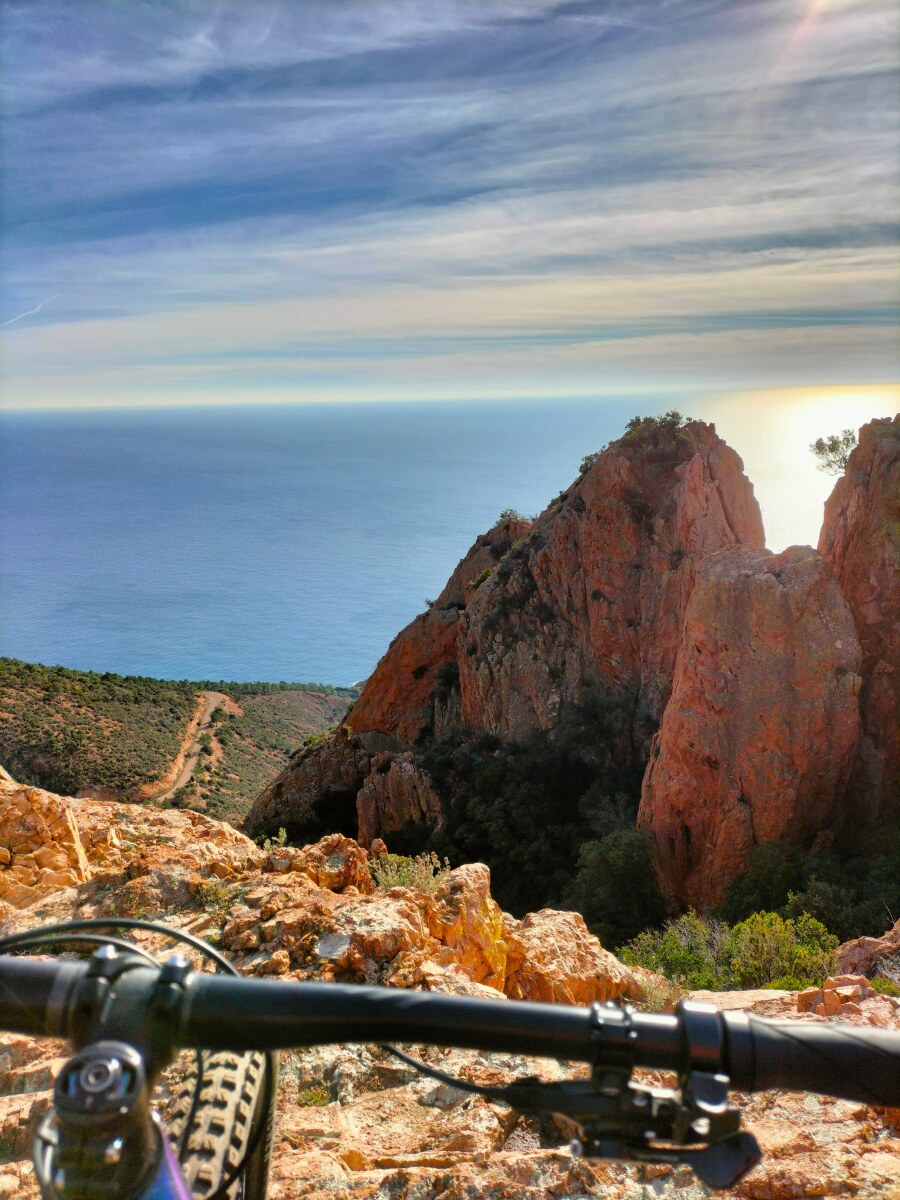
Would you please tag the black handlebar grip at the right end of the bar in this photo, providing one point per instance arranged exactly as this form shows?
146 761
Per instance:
830 1059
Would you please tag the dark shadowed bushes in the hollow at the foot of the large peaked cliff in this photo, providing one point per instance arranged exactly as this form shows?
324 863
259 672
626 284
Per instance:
530 808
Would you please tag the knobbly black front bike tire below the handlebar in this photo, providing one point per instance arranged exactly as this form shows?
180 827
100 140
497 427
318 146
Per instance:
213 1127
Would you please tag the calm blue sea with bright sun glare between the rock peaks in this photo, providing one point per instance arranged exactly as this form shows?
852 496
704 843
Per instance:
292 543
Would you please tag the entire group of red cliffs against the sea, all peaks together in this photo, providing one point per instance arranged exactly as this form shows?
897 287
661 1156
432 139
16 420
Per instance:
640 628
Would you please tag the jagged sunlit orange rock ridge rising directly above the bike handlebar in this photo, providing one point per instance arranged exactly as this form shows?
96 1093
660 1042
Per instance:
310 913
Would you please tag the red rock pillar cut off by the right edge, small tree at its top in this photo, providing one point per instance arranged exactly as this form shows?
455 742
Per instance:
861 539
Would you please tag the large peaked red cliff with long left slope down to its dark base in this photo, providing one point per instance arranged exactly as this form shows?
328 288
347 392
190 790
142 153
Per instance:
581 609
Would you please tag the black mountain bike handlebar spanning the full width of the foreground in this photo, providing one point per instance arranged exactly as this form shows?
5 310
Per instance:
217 1012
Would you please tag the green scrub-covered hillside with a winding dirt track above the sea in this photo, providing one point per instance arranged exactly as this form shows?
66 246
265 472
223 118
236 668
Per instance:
82 733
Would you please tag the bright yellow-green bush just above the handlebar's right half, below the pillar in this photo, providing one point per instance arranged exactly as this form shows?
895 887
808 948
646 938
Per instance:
764 951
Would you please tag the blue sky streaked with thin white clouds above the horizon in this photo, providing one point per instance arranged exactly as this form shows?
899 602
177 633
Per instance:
230 202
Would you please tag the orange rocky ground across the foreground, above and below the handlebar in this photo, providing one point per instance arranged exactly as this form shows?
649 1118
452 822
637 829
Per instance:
357 1124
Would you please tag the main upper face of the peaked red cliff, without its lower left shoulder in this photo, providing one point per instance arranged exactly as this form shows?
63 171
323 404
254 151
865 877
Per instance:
598 590
